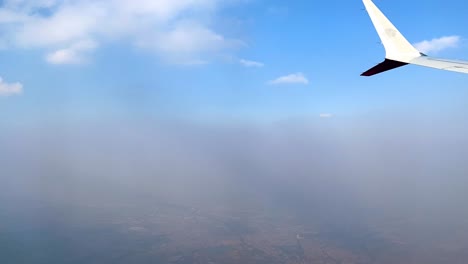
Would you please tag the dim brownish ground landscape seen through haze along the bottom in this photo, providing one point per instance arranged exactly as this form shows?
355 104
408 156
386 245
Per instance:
179 234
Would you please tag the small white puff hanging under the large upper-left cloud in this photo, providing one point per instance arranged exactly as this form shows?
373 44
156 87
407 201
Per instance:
75 54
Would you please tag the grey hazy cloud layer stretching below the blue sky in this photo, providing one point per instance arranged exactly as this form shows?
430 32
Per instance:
350 183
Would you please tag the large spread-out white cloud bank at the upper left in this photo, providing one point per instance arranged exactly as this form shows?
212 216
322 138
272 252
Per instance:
178 30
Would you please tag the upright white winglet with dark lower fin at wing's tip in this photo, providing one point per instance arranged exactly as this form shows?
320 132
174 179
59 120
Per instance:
399 51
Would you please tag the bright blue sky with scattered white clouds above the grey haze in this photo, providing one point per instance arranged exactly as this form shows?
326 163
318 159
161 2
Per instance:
221 60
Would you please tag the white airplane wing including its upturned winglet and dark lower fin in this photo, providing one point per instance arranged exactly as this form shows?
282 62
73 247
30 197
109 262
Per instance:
399 52
